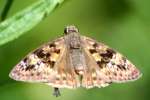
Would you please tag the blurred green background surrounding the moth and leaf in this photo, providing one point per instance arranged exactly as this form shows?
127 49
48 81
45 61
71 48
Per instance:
122 24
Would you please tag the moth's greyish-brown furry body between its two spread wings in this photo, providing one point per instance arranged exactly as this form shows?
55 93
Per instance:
75 50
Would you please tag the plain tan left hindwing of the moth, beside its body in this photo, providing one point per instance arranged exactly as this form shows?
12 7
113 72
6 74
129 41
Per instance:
66 77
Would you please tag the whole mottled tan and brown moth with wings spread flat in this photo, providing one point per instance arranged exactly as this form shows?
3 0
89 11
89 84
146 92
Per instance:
74 61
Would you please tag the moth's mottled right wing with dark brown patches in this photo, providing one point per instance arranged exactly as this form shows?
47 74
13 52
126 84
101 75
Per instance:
106 65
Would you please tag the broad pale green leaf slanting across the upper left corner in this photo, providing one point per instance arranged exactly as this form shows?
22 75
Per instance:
25 20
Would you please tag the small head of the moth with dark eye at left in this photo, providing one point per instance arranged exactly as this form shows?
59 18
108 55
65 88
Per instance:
71 29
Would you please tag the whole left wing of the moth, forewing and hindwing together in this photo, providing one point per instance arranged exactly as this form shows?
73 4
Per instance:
47 64
